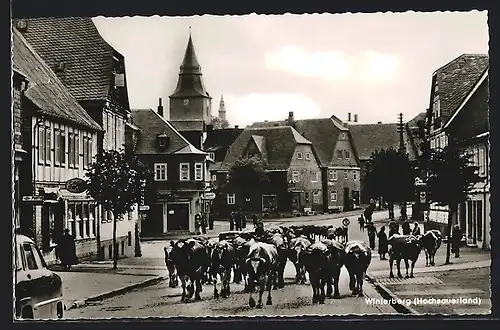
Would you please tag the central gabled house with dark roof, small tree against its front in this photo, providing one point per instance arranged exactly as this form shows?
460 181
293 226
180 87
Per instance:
291 166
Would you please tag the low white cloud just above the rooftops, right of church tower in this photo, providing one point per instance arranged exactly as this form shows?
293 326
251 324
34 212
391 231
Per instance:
245 110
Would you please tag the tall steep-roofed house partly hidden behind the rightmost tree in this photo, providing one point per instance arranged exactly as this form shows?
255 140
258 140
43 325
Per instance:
450 86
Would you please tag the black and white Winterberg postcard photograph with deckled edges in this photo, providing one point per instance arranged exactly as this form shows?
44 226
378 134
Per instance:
251 165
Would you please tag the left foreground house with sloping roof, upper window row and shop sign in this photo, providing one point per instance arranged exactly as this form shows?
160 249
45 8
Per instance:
60 139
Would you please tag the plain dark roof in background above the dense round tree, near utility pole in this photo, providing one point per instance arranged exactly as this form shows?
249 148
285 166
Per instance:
371 137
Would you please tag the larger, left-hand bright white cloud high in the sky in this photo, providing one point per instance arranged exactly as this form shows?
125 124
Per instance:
298 62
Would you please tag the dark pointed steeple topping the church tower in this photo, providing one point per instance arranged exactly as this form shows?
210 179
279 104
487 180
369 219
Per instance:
190 83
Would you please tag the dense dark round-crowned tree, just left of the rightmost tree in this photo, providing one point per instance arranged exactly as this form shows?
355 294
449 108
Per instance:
390 174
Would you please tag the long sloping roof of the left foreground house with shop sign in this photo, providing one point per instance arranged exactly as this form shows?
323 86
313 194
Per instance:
45 90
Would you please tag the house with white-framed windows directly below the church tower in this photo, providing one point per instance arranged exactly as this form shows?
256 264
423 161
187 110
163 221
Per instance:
180 175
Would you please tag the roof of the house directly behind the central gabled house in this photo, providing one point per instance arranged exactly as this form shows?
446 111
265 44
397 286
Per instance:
322 132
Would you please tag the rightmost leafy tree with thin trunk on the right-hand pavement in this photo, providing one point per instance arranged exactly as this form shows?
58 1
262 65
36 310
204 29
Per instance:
450 178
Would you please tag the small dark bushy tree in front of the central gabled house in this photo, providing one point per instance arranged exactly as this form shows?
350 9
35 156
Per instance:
247 175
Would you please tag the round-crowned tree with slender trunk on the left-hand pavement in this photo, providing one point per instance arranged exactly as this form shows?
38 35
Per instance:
117 181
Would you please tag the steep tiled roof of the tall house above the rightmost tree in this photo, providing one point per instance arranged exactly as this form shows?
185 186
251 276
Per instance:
456 79
